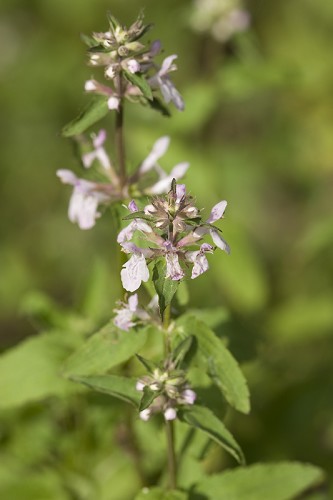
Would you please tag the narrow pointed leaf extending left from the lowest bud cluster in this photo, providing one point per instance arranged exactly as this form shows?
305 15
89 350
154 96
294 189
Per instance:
120 387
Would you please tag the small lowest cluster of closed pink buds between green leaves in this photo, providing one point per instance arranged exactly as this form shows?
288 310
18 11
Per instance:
168 389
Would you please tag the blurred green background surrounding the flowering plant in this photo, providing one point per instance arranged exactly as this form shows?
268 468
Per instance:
257 130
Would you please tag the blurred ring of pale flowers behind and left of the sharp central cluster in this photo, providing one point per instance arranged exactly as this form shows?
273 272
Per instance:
88 195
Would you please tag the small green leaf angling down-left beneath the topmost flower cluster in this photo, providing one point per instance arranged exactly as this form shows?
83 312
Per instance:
92 113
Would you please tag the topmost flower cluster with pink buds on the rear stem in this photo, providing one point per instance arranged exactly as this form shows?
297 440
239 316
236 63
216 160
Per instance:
119 51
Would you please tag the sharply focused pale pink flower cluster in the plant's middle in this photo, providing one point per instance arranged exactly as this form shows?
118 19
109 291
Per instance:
171 228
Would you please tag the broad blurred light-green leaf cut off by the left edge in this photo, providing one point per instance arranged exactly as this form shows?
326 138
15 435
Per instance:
30 371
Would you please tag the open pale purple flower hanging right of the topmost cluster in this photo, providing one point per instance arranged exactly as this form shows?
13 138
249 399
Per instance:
162 80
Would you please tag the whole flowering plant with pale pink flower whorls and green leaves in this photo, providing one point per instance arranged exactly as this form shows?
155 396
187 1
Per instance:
163 360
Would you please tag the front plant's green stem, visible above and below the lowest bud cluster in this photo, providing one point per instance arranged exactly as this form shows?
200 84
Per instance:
169 424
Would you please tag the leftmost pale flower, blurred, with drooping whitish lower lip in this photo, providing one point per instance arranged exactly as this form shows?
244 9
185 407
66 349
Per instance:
84 201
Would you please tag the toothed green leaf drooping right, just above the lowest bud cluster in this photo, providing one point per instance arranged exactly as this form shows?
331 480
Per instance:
221 366
